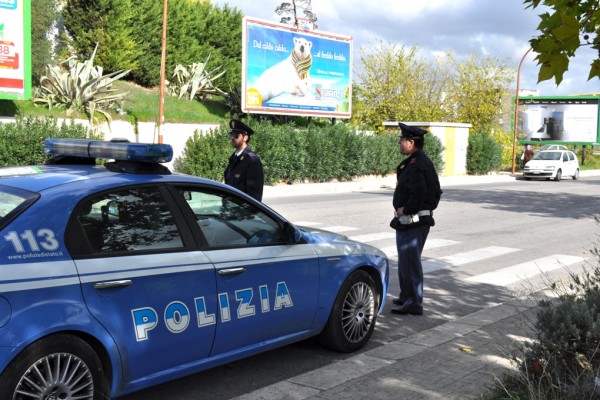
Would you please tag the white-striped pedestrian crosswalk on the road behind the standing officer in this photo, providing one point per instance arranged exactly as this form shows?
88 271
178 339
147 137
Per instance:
500 277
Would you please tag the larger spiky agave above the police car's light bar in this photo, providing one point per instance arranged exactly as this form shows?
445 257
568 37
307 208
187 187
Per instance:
80 86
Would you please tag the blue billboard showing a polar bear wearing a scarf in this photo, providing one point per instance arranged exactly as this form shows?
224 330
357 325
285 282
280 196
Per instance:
290 71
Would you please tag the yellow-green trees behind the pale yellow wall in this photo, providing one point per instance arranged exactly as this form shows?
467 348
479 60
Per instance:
396 84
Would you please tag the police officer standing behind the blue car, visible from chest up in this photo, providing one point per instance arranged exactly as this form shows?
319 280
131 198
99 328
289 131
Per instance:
244 169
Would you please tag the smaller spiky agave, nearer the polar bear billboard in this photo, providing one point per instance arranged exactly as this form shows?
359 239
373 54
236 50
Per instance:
195 80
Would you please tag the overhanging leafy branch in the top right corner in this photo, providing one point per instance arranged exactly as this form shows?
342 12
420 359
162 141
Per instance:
569 25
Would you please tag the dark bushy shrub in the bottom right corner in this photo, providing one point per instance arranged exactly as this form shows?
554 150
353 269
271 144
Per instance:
564 360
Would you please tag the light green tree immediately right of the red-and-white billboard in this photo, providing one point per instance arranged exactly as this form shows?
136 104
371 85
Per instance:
43 16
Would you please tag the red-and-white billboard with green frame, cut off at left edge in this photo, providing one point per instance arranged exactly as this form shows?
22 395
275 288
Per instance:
15 49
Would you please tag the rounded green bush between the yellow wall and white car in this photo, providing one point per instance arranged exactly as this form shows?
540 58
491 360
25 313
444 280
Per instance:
484 154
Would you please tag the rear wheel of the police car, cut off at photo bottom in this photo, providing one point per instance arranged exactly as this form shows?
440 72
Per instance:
58 367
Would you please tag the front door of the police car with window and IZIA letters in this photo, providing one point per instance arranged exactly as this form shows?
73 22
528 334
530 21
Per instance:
266 288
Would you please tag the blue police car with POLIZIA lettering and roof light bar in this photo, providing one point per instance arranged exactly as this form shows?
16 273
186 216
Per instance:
117 277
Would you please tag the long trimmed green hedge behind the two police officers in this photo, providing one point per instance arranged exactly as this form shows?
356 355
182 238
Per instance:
317 153
